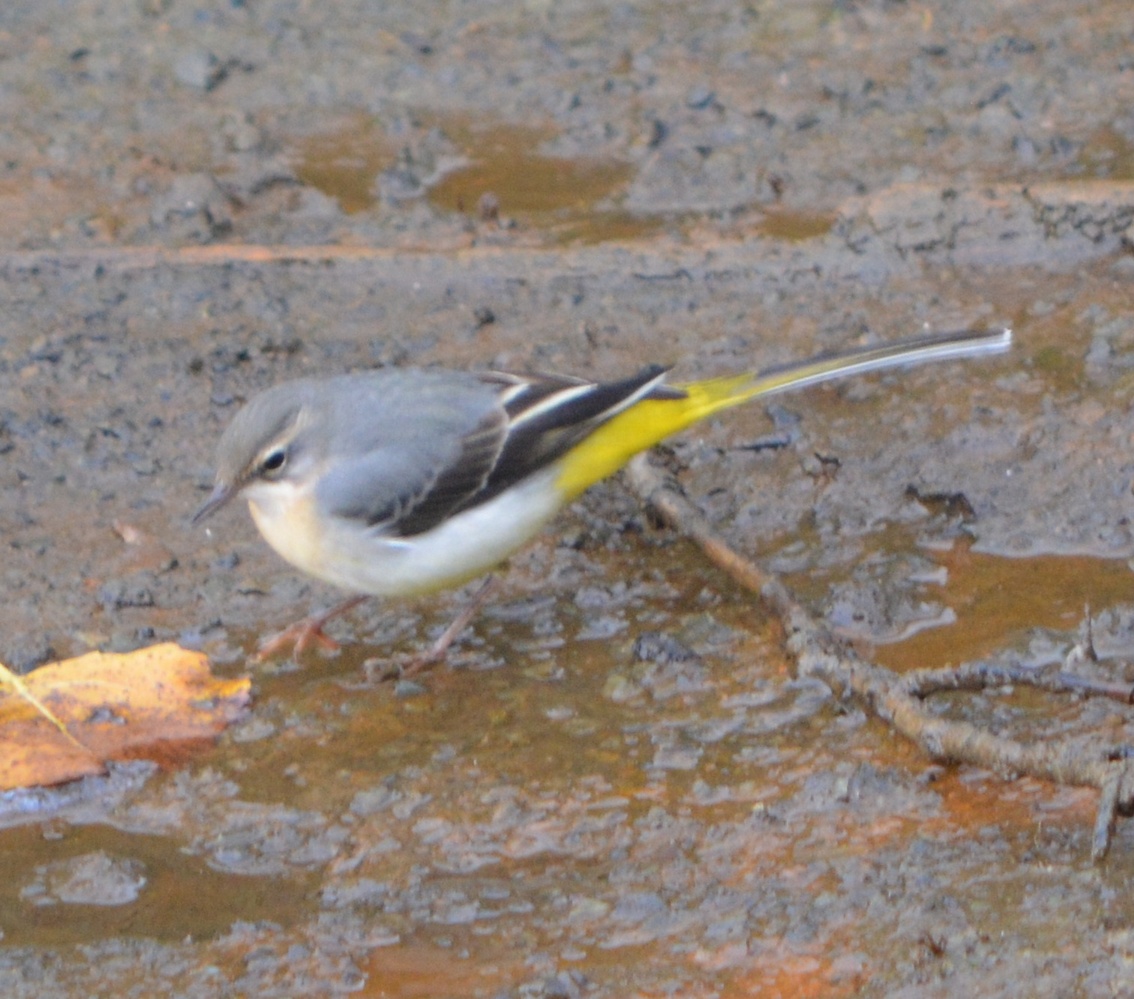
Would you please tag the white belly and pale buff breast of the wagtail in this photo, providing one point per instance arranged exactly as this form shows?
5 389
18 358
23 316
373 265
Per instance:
365 561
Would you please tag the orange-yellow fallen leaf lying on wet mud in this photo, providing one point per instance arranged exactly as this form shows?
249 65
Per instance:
72 717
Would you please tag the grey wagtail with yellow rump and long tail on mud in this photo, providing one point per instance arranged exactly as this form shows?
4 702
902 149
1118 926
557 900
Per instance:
402 482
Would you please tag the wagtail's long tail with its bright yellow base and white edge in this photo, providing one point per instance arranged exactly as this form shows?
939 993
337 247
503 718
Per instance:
651 421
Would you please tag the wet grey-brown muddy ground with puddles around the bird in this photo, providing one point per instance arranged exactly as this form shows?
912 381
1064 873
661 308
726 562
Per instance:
620 790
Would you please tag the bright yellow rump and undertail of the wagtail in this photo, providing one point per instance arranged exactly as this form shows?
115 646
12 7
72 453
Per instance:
648 424
